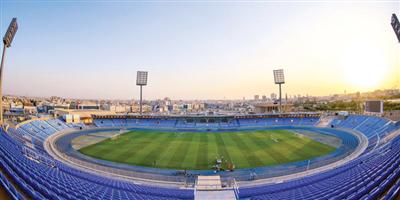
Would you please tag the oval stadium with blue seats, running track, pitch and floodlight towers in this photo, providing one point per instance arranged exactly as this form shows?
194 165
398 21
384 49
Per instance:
277 155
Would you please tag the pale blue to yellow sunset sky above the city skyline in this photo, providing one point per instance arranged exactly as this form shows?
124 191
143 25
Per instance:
199 49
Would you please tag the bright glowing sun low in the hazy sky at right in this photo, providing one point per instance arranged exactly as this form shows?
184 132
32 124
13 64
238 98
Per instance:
364 68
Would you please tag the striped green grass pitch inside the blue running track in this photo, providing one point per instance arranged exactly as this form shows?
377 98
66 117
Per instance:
195 150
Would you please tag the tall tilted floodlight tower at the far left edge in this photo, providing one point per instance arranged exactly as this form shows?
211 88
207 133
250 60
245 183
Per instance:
7 40
